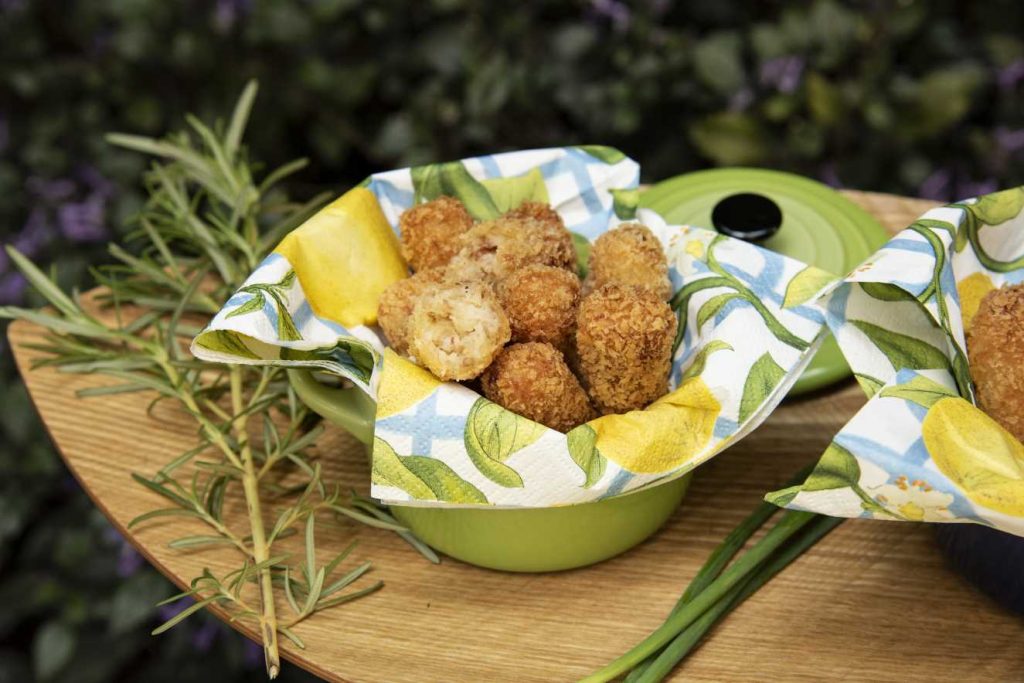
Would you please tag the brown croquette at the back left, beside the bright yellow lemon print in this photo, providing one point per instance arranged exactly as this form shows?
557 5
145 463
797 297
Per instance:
431 232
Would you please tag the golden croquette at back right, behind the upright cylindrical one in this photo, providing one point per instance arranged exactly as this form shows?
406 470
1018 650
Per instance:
629 255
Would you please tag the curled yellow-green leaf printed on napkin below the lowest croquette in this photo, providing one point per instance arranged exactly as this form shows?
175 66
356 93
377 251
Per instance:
493 435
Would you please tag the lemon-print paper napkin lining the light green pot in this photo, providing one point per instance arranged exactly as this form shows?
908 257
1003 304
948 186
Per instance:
749 326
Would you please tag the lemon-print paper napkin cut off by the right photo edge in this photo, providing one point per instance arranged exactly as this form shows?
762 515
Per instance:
921 450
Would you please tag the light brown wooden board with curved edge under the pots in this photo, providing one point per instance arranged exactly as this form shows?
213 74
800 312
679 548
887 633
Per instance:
873 602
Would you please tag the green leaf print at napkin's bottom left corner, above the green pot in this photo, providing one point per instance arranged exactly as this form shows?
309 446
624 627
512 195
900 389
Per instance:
422 478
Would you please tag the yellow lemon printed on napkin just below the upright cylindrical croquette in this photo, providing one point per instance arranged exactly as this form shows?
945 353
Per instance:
667 435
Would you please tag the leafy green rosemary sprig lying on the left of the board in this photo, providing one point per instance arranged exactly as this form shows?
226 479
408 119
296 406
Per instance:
207 224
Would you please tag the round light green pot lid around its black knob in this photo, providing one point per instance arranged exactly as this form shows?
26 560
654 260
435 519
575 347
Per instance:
820 227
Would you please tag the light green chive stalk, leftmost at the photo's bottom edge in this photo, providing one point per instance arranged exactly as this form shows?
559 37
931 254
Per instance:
791 523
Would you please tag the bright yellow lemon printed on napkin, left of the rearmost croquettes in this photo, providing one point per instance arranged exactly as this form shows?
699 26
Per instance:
345 258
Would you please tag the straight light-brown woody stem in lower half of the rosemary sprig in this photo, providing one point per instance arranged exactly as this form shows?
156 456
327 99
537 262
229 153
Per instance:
250 484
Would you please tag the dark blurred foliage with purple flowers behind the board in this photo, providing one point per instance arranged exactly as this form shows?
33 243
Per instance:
919 98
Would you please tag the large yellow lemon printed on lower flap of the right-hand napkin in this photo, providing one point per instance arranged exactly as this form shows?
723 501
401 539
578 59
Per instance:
977 454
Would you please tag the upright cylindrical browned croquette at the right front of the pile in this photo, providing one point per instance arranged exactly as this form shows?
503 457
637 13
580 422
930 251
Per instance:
624 343
